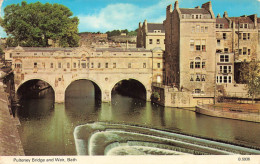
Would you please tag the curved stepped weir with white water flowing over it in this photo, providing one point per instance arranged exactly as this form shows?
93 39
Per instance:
119 139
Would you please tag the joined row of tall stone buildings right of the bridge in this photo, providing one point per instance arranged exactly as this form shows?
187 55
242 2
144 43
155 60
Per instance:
202 50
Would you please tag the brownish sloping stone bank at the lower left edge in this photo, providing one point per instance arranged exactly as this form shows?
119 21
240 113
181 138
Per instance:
10 143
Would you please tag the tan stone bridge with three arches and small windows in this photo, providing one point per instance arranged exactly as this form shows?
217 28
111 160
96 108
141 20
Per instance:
104 67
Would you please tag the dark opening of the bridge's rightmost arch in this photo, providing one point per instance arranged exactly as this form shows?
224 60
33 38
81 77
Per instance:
131 87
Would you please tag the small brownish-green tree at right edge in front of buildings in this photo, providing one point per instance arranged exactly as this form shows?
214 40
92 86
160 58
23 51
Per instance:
250 75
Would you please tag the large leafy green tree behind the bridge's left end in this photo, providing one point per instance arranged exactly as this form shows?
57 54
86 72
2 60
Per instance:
35 24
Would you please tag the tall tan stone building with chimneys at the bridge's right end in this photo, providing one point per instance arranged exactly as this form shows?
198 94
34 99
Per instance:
190 48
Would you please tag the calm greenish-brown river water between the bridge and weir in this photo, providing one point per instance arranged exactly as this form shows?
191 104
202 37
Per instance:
47 128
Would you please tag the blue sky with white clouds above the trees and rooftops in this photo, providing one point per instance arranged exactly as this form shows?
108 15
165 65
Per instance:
107 15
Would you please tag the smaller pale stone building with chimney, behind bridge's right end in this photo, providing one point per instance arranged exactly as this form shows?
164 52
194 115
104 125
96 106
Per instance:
151 35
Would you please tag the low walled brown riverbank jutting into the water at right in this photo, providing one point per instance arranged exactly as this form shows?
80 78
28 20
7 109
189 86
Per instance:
237 111
